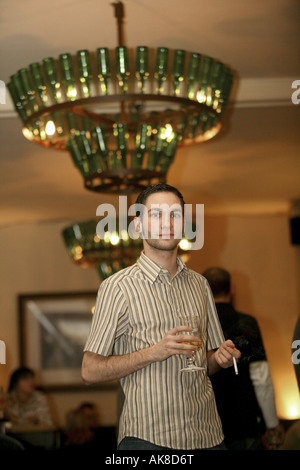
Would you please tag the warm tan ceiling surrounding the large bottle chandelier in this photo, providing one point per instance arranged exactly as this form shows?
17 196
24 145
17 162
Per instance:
252 166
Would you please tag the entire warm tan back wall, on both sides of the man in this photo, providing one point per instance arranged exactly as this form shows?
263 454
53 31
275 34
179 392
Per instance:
256 249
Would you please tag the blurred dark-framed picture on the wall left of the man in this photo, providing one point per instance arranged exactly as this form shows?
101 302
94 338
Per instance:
53 332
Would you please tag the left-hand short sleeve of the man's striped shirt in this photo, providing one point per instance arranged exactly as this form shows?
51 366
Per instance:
109 319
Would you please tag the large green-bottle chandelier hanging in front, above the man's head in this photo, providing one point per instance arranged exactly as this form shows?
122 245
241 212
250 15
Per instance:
121 114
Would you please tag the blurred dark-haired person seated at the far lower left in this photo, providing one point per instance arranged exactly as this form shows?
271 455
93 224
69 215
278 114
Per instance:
24 405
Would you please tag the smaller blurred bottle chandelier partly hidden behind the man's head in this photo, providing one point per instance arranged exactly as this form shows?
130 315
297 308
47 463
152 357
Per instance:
110 253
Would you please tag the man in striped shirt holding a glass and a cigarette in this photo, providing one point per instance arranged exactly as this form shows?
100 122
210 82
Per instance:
134 338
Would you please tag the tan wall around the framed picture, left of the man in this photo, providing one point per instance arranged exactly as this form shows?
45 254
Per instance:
34 260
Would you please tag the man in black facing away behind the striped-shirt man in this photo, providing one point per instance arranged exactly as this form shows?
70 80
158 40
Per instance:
245 401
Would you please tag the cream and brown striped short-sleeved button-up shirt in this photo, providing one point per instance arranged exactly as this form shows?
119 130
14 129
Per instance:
135 308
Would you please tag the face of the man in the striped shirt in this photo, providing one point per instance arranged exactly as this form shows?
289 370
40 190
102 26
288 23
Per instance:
162 221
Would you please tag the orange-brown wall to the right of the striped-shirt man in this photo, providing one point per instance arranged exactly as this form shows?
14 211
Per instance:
256 249
